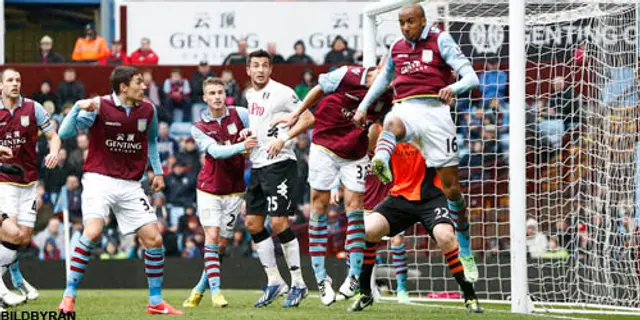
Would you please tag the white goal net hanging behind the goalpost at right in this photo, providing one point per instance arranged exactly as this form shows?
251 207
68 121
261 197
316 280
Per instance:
582 155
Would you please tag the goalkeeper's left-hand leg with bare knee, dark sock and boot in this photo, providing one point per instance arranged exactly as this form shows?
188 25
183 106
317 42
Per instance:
376 227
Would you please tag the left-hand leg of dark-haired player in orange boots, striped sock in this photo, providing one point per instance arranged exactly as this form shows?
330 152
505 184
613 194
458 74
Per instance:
79 260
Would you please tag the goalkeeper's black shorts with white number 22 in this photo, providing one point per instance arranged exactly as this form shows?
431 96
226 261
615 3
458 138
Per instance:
402 213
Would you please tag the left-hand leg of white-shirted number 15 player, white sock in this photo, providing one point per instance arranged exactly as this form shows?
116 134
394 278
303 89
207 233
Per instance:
265 247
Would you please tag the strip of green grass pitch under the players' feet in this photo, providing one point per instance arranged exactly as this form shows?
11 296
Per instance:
131 304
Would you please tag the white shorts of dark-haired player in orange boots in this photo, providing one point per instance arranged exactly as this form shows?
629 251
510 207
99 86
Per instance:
125 197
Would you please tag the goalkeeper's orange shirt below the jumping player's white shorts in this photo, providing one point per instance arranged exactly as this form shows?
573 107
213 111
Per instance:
412 179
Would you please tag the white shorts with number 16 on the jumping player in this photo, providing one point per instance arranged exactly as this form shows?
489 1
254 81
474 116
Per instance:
428 123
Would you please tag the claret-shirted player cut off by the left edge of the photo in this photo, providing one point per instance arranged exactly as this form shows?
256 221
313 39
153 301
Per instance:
21 120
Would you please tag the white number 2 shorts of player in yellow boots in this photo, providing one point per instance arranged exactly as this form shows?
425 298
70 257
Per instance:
219 211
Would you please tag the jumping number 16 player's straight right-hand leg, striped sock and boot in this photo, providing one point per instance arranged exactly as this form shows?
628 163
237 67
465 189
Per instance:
451 188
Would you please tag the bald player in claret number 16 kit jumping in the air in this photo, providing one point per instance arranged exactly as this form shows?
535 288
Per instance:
422 63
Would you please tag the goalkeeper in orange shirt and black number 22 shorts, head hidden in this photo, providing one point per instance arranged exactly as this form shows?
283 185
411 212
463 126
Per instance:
416 196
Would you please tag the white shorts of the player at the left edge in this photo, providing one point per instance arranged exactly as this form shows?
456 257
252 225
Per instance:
20 201
